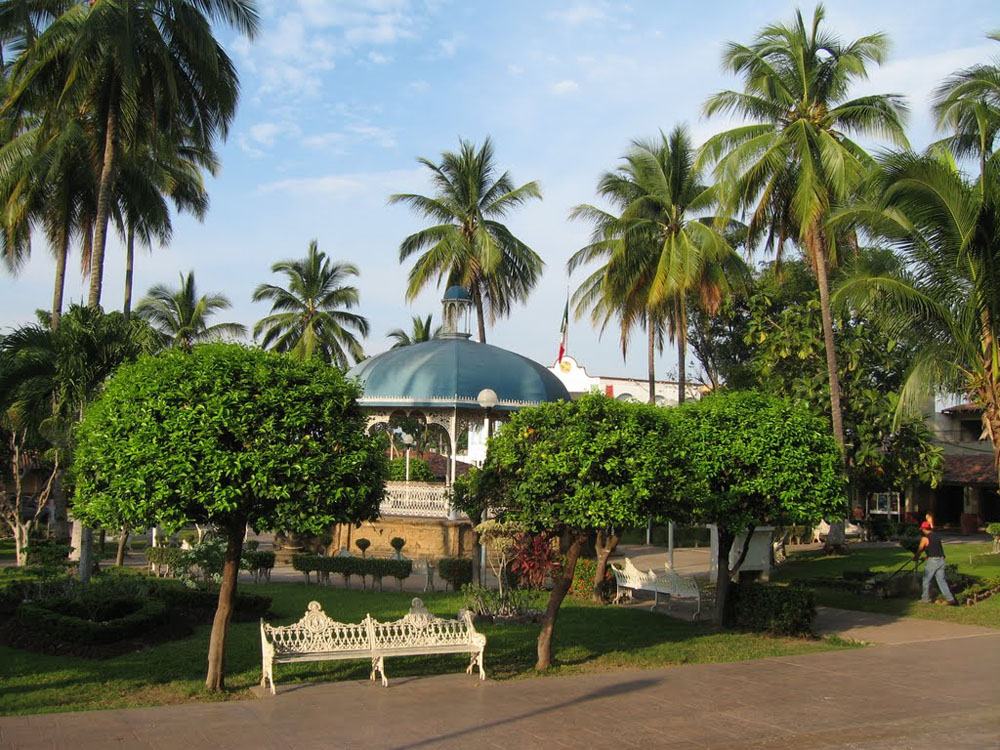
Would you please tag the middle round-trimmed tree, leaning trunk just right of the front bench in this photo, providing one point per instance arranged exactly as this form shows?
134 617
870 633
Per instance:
575 468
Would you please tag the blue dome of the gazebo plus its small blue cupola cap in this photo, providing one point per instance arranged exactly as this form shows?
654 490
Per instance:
450 372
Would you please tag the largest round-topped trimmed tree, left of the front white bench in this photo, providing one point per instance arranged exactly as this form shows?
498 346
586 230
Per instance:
227 436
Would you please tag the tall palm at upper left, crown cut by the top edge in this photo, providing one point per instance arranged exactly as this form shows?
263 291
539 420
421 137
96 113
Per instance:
135 68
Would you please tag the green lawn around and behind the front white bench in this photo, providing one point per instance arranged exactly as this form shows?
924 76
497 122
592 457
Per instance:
589 638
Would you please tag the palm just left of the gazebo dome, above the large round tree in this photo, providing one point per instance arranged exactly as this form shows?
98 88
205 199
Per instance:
310 317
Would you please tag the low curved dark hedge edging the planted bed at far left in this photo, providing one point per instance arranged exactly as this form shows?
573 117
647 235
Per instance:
57 626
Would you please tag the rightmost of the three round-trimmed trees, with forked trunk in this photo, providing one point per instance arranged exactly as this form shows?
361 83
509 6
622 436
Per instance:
753 459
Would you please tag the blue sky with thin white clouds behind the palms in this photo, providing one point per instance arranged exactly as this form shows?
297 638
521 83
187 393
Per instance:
341 96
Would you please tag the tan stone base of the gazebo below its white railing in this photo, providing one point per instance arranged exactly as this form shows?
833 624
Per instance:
426 538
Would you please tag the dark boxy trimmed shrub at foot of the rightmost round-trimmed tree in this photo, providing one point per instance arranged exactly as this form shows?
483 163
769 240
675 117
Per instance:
772 609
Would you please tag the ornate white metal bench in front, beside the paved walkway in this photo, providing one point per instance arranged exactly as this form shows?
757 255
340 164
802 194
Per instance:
317 637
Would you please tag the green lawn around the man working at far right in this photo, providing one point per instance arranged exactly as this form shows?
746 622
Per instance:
972 559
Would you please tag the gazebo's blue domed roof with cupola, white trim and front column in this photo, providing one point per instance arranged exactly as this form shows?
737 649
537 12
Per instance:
446 379
